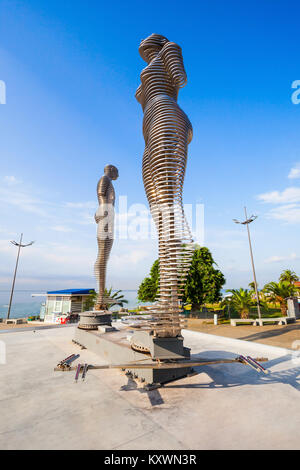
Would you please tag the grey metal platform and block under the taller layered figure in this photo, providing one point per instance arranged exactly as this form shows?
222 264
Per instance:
115 347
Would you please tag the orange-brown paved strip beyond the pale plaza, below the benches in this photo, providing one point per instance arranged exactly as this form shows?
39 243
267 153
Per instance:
274 335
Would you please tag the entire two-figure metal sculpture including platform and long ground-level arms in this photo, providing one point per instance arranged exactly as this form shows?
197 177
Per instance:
157 354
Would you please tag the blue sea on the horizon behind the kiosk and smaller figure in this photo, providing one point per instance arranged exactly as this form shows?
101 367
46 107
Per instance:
24 305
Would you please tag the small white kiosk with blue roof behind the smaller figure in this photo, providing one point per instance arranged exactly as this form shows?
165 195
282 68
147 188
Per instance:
64 302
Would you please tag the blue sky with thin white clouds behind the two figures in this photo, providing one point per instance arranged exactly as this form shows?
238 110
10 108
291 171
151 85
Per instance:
71 70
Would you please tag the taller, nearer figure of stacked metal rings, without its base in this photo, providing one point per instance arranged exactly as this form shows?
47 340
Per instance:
167 133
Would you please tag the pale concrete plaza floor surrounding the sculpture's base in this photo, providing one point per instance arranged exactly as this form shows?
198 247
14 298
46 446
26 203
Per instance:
223 407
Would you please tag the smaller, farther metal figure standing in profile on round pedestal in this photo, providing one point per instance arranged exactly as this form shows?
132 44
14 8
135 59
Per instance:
104 218
